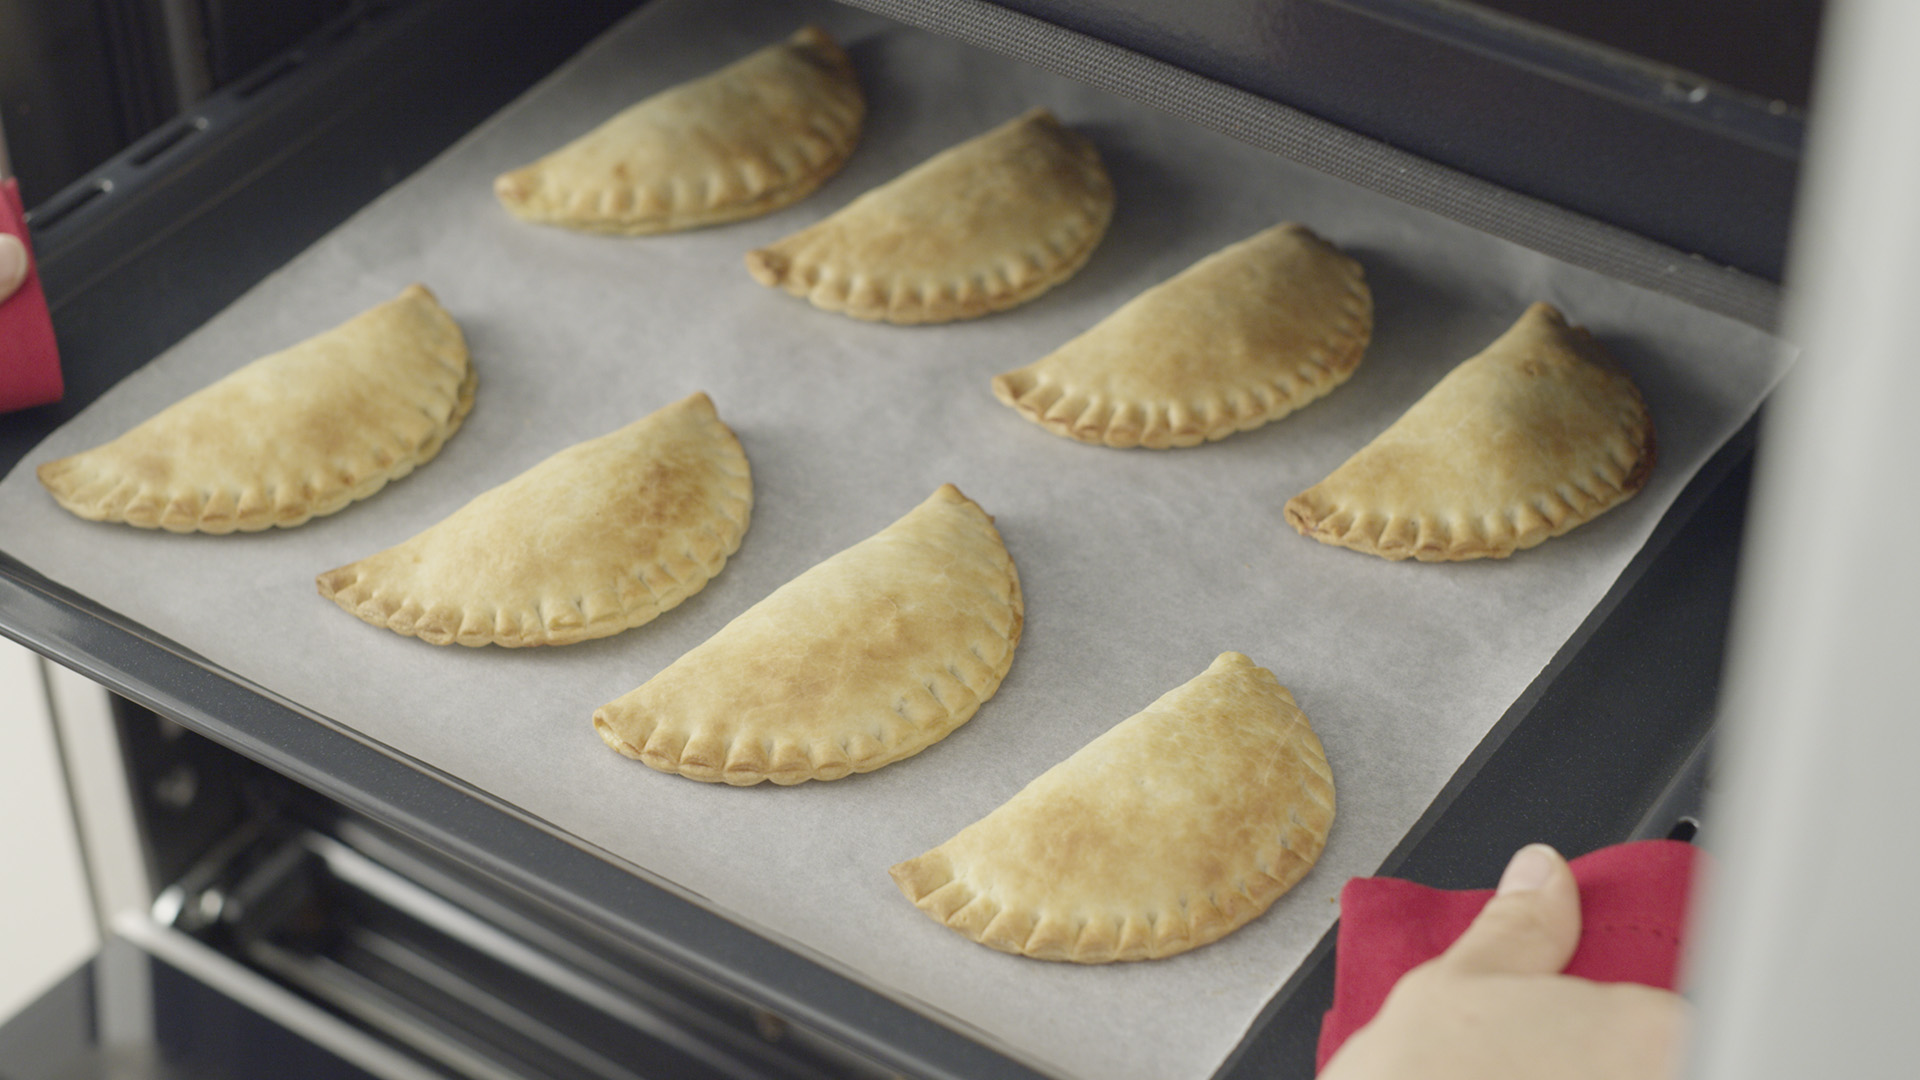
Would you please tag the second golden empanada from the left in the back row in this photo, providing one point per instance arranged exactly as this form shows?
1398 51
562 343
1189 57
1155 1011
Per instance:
978 228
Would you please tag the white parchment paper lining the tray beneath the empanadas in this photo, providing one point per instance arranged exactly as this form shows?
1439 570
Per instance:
1138 566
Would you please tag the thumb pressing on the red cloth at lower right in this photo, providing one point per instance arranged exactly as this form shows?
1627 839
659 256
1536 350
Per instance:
1533 923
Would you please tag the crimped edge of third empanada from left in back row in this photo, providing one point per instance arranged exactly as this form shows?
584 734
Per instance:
1226 410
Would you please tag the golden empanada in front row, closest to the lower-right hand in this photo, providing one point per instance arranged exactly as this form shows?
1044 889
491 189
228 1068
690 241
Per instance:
1170 831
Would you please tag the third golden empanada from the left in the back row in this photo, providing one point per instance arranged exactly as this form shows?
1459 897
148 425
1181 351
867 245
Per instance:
1243 337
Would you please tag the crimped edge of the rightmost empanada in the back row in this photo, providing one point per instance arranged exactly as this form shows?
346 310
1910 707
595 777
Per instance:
1499 535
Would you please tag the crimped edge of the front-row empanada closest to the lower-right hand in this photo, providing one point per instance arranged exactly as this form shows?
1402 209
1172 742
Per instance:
936 887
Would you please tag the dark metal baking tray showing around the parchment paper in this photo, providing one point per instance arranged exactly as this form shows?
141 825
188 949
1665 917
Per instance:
1579 762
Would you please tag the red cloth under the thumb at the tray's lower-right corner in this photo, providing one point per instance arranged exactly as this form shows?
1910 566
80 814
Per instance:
1633 914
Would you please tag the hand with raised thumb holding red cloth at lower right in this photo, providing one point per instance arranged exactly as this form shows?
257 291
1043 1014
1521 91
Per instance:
1497 1008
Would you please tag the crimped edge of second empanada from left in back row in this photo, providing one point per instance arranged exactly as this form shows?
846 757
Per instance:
1047 262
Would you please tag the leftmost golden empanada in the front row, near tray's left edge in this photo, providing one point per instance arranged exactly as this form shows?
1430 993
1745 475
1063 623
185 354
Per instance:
291 437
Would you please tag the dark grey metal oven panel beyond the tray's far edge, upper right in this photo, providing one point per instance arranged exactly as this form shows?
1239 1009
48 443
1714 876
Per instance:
1648 149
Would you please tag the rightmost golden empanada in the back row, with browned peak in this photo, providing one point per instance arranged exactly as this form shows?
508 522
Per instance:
1531 437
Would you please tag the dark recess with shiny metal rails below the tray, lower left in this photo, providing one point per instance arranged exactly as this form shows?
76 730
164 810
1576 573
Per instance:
395 941
